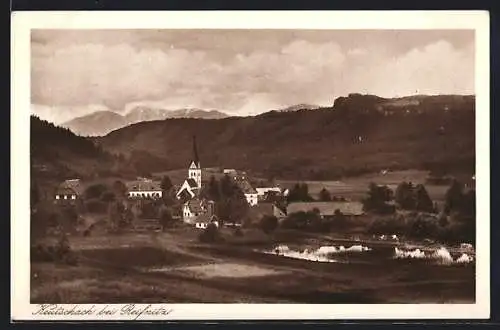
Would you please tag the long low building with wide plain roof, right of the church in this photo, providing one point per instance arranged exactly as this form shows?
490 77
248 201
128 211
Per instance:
328 209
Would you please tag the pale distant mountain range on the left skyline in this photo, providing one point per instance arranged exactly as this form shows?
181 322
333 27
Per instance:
102 122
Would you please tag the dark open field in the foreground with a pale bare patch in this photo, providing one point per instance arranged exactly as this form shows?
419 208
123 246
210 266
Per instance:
173 267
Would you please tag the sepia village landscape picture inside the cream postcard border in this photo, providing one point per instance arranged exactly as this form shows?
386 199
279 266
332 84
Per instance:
252 165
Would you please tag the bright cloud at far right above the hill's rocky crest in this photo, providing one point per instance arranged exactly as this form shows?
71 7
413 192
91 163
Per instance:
437 68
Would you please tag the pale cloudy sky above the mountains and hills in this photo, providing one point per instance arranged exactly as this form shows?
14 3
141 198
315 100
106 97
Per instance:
240 72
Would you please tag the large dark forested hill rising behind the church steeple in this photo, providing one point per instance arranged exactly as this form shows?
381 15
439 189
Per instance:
360 133
